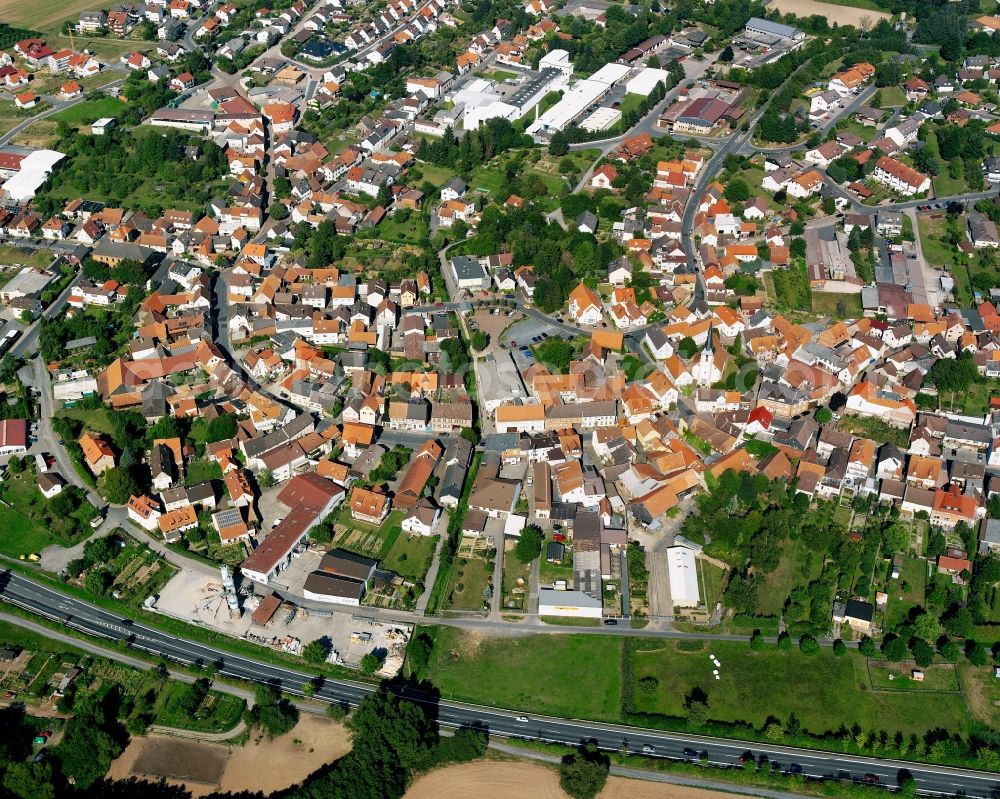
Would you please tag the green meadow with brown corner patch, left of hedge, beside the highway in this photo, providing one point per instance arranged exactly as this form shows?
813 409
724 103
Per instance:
574 676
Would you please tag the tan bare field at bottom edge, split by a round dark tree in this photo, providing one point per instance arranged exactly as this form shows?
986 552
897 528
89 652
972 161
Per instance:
507 780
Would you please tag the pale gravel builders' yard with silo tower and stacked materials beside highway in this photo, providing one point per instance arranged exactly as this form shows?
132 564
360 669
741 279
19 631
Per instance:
195 598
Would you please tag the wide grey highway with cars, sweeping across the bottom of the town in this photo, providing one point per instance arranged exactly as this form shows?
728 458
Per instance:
77 614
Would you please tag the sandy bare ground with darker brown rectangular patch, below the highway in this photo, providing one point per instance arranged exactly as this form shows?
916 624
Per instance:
267 766
